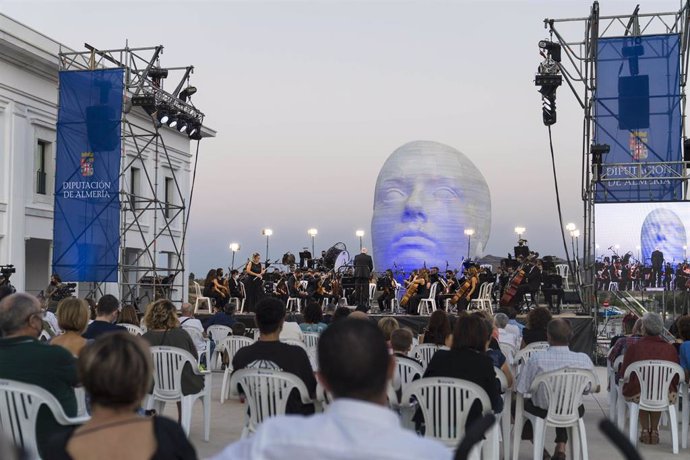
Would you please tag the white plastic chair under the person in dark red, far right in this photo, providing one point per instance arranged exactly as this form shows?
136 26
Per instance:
655 378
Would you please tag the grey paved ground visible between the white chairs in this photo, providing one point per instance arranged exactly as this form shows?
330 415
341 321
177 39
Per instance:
227 420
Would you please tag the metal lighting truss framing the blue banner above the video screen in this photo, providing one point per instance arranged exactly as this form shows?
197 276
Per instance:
578 67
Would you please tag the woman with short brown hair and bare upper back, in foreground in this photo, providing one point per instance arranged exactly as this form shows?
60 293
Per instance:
116 371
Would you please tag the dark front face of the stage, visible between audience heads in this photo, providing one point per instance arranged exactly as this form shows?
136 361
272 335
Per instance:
583 326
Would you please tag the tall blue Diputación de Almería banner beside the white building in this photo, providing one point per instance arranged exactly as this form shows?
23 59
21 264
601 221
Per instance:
86 233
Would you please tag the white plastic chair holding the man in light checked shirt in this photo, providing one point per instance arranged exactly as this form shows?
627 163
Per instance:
565 389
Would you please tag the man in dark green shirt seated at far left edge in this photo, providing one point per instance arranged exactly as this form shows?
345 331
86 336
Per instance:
27 360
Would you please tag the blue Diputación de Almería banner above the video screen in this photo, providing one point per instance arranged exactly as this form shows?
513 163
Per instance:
637 113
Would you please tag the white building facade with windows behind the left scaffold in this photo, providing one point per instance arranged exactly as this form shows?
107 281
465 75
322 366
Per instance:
28 117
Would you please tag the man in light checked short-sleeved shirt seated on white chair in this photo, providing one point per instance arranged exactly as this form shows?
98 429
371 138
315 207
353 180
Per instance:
557 357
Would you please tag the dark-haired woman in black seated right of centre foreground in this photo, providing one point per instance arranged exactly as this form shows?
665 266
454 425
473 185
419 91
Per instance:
466 360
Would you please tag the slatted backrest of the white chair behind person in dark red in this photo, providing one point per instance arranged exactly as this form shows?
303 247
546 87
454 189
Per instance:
655 378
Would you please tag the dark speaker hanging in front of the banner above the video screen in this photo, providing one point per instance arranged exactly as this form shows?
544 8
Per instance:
633 102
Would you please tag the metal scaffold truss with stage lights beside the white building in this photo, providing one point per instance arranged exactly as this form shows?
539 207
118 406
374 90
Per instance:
142 137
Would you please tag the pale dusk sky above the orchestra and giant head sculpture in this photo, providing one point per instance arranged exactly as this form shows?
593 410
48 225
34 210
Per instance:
309 99
